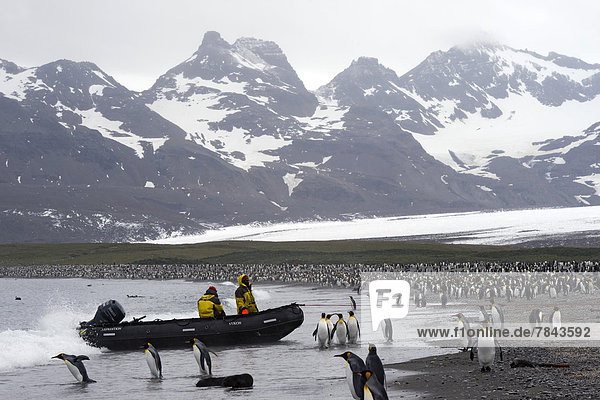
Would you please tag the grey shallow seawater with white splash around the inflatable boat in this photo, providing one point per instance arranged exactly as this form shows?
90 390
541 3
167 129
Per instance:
43 324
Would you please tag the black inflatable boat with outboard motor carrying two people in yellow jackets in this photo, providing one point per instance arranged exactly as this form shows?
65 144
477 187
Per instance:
107 330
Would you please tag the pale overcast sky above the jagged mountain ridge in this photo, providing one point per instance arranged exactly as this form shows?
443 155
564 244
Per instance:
136 41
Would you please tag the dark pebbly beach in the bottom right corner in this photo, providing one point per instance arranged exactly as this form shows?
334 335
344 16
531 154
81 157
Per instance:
455 376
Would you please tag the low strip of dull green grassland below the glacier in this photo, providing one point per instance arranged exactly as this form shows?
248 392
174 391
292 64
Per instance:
335 252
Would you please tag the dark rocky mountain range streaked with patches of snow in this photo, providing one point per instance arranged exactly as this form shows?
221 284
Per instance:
231 135
